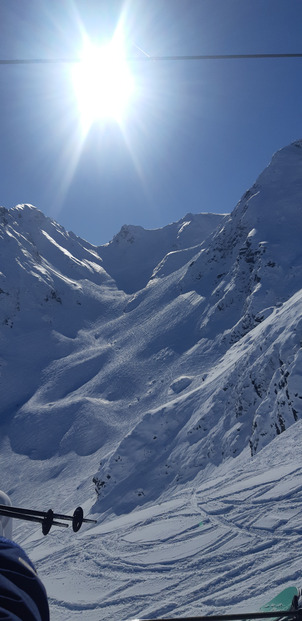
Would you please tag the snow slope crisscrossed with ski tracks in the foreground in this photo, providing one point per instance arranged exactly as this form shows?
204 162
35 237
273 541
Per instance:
227 542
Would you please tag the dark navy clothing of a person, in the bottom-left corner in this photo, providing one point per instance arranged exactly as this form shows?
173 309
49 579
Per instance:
22 594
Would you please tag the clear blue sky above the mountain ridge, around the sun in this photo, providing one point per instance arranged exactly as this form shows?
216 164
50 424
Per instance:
194 135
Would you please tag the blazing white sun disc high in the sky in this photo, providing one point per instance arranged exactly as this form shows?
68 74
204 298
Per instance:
103 84
